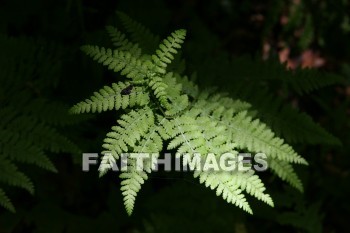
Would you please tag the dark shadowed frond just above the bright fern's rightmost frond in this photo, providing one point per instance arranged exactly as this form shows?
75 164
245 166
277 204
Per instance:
287 122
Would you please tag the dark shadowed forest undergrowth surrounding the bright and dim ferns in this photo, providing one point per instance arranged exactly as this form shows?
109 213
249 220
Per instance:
300 33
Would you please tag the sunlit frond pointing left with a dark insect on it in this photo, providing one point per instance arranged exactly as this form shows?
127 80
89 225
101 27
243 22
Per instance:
109 98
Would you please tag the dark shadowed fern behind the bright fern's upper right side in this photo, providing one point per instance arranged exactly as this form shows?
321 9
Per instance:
251 81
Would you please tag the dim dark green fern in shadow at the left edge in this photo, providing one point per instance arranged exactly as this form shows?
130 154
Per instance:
30 124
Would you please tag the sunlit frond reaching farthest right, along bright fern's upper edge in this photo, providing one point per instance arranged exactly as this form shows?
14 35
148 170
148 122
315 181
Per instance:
246 133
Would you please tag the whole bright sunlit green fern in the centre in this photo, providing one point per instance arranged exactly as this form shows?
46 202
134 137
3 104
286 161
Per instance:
164 107
